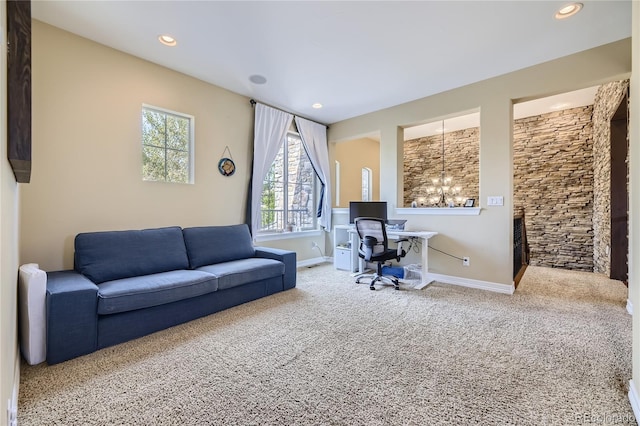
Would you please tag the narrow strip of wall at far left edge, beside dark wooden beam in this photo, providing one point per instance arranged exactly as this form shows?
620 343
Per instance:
9 356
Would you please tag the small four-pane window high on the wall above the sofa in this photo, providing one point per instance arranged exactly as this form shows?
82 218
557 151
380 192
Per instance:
167 146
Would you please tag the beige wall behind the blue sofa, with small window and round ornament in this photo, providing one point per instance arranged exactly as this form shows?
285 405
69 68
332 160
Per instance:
86 148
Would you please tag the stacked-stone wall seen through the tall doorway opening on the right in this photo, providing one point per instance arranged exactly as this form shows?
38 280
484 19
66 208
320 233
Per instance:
553 182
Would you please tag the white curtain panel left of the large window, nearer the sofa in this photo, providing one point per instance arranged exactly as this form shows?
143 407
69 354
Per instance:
271 126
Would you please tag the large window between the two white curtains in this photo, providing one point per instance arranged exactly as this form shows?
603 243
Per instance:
289 190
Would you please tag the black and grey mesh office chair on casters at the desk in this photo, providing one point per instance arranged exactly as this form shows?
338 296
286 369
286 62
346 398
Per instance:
374 247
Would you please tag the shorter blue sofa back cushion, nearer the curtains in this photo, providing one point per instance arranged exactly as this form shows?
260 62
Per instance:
207 245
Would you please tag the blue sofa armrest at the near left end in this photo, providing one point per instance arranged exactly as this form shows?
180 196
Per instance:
72 316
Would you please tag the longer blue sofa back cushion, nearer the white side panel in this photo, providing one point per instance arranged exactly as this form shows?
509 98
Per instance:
112 255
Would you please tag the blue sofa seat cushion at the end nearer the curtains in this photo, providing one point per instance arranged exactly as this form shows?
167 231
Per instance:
239 272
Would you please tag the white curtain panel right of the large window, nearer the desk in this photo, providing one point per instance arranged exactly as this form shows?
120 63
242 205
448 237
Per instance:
314 138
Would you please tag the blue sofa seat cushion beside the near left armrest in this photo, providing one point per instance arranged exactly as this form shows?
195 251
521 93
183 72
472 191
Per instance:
133 293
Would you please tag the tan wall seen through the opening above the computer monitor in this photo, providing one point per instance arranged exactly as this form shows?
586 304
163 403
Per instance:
353 156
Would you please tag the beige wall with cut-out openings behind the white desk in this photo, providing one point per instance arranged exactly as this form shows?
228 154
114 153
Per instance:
486 238
